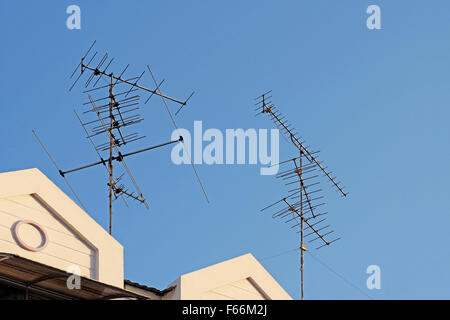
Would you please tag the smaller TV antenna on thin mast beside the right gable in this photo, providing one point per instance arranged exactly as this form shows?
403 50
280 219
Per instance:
303 206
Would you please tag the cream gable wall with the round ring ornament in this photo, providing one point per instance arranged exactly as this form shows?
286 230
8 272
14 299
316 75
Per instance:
73 235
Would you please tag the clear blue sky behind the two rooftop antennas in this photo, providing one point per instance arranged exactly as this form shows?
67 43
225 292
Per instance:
375 103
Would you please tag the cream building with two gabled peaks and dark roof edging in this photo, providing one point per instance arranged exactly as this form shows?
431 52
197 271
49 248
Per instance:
51 249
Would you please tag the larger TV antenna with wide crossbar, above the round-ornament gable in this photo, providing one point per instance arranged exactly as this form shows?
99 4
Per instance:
112 114
